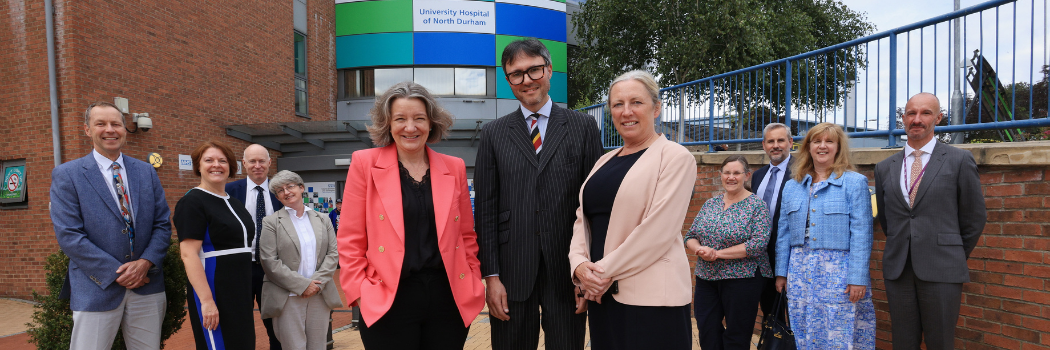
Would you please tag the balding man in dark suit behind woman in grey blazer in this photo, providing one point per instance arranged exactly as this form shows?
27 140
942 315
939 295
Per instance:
255 192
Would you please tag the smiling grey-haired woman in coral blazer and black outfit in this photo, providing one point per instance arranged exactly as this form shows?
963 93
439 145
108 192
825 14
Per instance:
408 250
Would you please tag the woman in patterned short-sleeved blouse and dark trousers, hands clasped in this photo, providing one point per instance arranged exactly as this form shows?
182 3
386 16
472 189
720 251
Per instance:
730 236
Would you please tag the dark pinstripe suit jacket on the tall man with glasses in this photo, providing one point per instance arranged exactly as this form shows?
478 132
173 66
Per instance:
526 202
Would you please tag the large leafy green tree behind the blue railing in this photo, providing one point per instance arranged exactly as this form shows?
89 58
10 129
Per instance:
683 42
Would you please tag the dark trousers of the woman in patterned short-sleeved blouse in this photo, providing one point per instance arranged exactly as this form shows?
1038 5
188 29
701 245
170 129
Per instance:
734 300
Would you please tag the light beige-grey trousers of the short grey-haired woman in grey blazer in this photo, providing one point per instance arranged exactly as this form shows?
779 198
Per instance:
303 324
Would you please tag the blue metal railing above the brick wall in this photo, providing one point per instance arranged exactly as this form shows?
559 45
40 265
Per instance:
857 85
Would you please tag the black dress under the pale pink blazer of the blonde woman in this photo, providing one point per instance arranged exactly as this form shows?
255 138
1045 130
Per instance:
615 325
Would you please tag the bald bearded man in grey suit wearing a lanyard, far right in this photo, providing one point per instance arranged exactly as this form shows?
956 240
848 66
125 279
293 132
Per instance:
931 208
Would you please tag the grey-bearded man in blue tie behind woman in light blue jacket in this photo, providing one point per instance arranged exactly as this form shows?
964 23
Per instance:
767 183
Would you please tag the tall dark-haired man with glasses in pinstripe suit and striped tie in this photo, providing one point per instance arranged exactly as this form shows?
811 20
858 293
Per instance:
528 176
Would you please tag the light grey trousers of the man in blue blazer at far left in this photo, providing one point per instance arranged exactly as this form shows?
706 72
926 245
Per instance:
140 317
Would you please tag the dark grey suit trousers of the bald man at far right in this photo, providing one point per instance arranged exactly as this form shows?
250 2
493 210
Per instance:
921 311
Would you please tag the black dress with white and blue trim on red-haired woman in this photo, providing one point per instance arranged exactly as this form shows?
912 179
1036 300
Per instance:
226 232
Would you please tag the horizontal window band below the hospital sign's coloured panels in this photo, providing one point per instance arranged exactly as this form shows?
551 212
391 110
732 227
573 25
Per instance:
440 81
